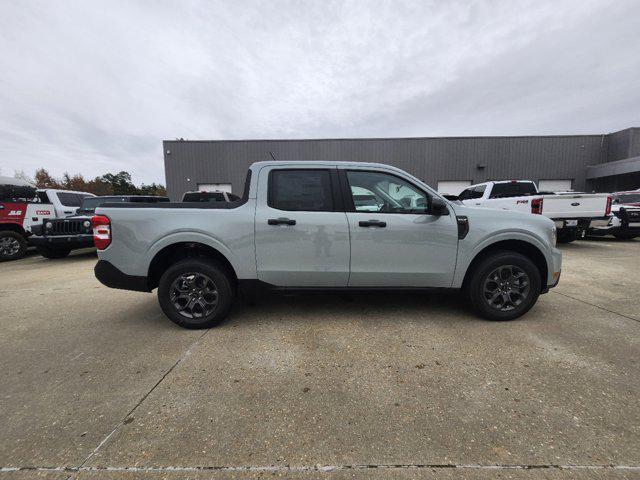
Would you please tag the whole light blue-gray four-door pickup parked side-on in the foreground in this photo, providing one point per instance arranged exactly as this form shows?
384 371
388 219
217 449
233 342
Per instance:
324 226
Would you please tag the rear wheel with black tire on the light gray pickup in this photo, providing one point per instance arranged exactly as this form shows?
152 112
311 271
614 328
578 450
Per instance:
171 294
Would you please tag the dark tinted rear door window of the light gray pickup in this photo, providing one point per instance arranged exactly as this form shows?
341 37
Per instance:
300 190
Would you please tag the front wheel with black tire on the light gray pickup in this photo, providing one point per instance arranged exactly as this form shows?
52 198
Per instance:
481 278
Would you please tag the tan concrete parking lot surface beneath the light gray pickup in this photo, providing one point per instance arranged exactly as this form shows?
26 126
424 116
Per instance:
97 383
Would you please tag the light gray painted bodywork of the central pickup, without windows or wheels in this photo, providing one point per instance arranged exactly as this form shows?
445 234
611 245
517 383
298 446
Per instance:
317 251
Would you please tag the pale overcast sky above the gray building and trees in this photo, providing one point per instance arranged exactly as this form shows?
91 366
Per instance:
94 87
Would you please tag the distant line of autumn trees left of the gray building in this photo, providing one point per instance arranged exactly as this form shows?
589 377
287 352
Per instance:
108 184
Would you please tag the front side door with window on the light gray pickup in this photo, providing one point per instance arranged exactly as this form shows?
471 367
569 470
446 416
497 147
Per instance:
395 241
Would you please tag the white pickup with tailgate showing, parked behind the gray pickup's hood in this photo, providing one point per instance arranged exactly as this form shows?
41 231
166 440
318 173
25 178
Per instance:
573 213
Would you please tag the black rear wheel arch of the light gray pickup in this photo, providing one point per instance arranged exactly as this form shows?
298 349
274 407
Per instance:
175 252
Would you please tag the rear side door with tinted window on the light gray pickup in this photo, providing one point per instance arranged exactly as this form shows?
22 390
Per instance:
301 230
